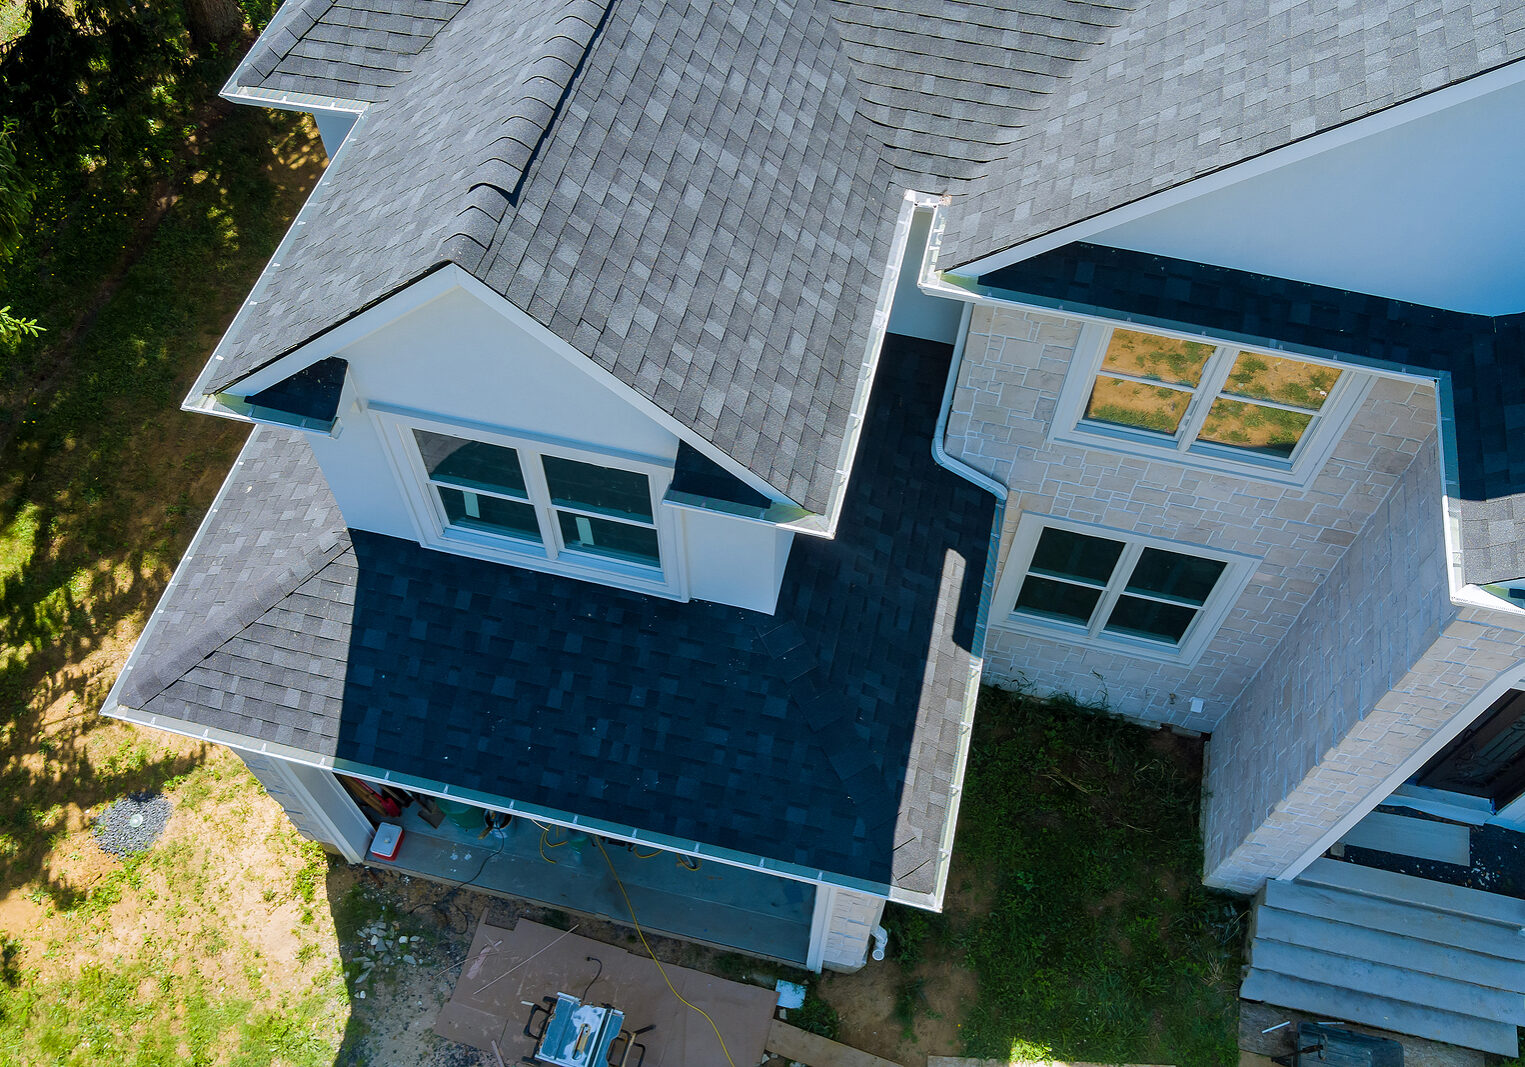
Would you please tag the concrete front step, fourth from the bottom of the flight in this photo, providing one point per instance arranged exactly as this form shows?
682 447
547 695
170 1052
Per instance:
1392 917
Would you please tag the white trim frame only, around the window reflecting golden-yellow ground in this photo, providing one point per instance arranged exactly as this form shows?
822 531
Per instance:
1309 458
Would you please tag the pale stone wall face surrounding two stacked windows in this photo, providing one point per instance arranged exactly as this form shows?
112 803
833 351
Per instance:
1015 365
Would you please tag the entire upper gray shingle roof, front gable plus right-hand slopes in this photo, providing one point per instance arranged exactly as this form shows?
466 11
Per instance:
701 197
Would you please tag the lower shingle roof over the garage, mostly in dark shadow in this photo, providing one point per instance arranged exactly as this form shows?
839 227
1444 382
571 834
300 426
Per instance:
826 735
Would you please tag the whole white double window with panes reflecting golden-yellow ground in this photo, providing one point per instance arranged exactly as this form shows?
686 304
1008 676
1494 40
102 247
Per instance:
1206 403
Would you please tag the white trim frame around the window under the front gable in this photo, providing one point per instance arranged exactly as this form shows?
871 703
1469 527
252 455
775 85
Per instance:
396 429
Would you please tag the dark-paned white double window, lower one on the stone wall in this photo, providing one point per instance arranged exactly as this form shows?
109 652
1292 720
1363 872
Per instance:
1117 591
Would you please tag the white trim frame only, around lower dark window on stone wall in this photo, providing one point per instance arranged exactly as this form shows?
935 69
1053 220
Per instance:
1238 572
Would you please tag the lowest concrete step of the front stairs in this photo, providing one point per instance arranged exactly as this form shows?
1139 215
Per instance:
1335 1004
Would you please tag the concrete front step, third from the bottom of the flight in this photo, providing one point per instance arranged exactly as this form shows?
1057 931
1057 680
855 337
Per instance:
1395 950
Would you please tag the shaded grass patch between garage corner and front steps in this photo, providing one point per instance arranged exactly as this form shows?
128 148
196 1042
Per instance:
1076 926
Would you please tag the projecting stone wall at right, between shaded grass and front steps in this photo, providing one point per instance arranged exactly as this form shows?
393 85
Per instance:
1320 728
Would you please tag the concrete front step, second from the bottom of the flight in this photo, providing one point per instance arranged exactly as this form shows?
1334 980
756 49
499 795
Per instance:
1390 982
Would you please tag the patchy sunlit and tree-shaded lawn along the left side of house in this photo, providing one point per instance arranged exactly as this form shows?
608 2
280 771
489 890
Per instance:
210 947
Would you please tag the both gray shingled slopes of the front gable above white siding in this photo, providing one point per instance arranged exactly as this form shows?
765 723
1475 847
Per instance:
702 222
